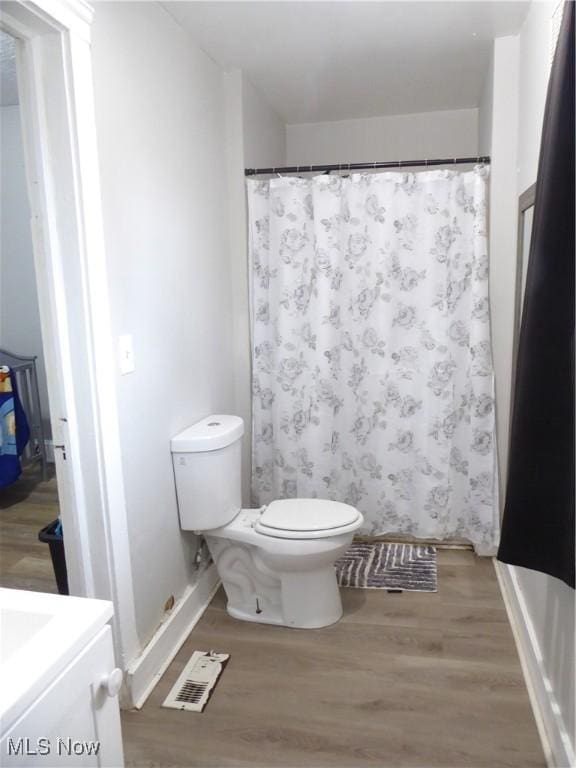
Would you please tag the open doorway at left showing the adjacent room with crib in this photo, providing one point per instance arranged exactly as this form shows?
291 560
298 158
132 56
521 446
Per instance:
29 506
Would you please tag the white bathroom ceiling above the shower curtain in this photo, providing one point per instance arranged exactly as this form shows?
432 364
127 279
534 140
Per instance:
319 61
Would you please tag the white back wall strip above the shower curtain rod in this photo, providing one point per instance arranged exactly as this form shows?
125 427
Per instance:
399 137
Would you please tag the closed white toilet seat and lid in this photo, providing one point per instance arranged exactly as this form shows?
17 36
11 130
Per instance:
307 519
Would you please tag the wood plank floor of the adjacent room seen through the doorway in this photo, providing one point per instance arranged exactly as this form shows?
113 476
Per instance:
26 506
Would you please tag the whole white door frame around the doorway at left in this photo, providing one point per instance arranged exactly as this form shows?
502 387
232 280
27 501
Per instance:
60 144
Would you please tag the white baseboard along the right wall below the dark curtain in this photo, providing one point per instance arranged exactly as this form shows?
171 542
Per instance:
554 735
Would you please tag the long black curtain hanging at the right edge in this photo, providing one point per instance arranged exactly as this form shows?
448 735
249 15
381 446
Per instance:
538 525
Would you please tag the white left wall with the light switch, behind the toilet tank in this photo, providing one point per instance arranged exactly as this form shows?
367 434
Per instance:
161 138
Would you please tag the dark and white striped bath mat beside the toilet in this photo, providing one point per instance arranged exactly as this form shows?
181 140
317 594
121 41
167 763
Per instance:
381 565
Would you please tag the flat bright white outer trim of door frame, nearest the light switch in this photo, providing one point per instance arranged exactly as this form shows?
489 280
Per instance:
103 358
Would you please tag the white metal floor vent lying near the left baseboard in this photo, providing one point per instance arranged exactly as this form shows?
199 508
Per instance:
197 681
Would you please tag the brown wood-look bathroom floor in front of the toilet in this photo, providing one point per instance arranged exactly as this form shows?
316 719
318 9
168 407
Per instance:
412 679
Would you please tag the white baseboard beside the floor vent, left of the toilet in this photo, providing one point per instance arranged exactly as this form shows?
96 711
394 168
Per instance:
146 670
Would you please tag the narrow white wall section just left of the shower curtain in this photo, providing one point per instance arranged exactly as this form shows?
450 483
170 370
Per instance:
256 137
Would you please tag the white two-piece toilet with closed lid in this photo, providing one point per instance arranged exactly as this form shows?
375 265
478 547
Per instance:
276 563
